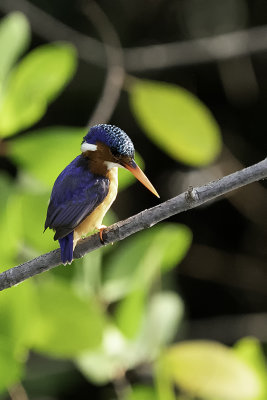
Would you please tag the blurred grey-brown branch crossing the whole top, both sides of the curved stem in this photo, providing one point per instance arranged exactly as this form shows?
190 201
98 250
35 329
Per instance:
189 52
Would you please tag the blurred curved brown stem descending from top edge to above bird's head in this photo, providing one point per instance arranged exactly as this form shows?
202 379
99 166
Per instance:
115 65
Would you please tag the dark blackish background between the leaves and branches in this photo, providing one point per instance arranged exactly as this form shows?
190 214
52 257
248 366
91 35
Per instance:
223 279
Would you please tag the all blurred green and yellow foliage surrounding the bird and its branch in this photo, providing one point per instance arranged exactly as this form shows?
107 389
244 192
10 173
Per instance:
111 311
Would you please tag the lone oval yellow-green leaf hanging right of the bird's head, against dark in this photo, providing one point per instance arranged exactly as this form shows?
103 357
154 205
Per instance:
179 123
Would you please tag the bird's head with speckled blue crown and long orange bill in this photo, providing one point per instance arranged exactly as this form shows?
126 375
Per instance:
109 146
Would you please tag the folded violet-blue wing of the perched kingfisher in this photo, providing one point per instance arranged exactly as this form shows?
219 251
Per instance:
76 193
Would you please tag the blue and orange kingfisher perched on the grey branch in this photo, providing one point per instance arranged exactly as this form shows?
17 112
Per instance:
85 190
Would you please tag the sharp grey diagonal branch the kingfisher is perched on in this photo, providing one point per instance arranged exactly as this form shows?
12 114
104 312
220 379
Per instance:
192 198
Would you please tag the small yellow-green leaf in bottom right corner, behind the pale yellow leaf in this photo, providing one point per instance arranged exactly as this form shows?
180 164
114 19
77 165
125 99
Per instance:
250 351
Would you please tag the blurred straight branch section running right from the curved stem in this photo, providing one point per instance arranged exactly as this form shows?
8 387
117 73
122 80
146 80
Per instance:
190 52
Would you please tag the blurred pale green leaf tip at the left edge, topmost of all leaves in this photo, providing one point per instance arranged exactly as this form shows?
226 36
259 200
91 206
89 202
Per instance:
14 39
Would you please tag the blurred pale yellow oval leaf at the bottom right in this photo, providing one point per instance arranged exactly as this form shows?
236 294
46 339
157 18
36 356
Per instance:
211 370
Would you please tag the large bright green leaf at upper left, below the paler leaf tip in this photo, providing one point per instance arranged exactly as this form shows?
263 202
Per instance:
35 83
